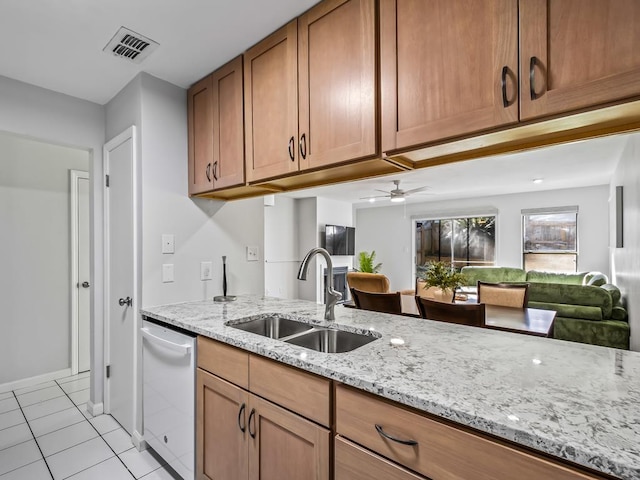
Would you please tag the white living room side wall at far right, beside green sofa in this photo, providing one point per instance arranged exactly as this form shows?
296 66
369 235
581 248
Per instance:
625 261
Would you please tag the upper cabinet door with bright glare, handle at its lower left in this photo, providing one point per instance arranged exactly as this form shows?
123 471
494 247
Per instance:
337 83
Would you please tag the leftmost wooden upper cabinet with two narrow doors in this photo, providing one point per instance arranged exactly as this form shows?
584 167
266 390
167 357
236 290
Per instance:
216 130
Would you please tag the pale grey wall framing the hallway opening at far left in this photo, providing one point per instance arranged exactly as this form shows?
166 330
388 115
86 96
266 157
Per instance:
63 120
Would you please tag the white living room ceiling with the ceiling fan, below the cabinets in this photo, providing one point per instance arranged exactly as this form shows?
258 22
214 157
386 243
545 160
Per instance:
579 164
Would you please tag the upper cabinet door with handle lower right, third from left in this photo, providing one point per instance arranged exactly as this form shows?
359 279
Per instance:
271 105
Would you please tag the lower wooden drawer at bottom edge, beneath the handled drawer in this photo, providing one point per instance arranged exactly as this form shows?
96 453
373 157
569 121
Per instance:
355 463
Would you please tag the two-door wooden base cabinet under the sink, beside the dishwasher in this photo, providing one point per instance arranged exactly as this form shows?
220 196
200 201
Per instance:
240 435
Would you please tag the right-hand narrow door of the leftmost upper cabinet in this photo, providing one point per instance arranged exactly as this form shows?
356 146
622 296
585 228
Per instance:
228 126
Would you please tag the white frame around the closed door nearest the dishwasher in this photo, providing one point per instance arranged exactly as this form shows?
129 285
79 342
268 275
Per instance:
129 134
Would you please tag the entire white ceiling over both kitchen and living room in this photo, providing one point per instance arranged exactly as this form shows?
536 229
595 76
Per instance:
58 45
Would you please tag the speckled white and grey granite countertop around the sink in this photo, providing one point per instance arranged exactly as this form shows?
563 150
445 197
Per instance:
574 401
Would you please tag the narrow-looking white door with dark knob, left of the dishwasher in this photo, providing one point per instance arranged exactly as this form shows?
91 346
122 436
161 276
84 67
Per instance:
120 265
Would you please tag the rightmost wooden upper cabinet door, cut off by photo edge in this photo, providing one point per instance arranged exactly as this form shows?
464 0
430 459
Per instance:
577 54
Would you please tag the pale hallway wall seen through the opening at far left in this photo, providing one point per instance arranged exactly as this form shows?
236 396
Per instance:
35 254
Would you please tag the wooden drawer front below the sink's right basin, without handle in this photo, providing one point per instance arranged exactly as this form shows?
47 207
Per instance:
304 393
